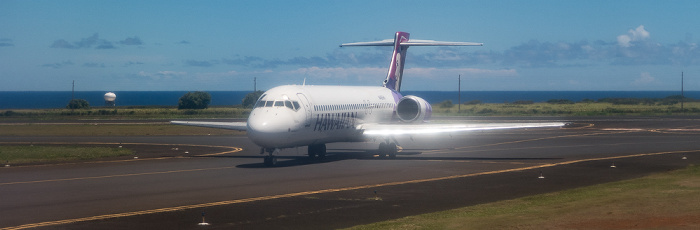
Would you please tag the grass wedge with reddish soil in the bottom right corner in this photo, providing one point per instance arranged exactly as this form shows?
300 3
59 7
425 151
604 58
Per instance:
662 201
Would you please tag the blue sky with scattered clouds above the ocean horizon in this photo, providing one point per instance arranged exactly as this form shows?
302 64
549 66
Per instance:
223 45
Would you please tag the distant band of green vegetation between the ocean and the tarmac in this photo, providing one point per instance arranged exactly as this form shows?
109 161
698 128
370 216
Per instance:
555 107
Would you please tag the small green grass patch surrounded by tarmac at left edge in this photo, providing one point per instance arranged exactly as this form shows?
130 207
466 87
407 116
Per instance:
43 154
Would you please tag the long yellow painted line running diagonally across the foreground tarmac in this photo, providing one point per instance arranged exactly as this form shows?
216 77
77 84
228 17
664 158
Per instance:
229 202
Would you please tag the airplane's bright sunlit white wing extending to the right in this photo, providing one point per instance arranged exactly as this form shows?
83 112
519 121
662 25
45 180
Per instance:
406 129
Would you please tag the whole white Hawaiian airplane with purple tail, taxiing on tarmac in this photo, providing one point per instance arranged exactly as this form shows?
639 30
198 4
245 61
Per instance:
309 115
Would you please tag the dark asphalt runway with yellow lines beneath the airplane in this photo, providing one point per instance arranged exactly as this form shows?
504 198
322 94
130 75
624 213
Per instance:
228 183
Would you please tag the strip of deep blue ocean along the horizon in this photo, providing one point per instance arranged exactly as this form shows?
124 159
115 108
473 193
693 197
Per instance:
55 99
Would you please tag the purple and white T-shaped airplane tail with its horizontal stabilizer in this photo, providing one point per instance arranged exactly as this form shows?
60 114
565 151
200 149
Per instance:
398 58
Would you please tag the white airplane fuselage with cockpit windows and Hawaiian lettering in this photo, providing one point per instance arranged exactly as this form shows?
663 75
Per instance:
300 115
